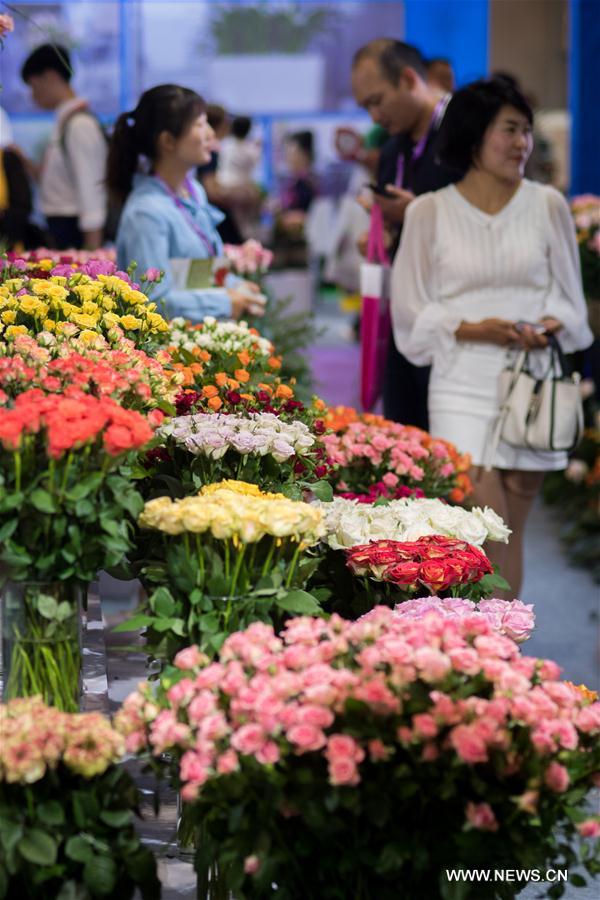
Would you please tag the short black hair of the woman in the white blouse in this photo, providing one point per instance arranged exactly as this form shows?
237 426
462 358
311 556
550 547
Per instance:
470 113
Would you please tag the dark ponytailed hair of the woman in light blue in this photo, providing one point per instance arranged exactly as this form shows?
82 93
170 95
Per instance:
167 107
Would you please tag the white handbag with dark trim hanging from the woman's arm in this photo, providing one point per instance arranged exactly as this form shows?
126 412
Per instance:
538 412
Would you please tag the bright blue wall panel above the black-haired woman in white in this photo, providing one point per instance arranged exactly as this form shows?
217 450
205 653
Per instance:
456 29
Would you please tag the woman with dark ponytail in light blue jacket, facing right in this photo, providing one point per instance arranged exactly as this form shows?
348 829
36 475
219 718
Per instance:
166 214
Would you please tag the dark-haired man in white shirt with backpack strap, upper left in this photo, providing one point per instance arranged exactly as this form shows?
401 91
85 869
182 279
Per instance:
71 176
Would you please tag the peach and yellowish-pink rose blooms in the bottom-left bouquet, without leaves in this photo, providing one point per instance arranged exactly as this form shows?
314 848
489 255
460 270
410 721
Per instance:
36 738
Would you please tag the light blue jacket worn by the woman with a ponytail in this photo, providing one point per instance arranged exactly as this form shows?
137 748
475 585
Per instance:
153 230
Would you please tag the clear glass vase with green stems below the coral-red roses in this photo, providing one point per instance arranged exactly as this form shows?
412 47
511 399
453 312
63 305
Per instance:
41 641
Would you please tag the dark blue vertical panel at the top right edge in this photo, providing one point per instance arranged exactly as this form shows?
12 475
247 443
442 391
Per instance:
583 99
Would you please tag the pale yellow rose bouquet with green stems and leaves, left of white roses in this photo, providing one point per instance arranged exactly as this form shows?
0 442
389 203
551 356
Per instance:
226 557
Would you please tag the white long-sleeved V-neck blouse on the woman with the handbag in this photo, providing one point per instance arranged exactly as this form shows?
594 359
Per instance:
456 263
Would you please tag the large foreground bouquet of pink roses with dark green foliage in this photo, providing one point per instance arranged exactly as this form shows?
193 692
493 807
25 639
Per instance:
364 759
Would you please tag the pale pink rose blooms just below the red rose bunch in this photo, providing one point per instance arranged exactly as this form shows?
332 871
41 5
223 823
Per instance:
512 618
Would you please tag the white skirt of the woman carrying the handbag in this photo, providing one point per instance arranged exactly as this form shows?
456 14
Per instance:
464 406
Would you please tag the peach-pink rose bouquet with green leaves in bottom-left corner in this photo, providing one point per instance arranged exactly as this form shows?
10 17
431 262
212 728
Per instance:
67 808
